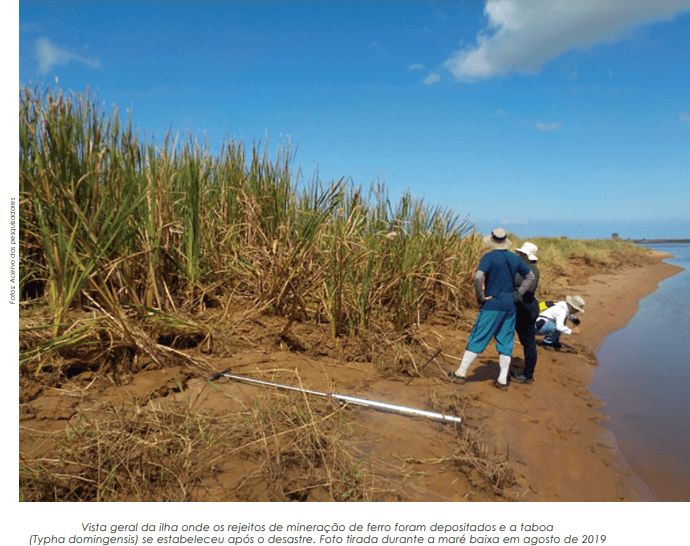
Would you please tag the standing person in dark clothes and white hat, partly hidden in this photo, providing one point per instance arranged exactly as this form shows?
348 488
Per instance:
526 313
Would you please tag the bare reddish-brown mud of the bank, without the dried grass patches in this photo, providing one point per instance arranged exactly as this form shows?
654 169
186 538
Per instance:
544 441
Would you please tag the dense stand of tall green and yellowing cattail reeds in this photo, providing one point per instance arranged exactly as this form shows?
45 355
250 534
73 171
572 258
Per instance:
136 229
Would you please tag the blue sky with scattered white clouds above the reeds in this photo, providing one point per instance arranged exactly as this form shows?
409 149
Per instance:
546 118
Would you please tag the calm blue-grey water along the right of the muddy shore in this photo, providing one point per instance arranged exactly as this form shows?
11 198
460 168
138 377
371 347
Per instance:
643 378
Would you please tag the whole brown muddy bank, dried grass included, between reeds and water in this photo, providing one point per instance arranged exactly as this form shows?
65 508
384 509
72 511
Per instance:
539 442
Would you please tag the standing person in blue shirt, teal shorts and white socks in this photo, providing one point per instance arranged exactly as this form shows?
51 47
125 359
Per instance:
493 286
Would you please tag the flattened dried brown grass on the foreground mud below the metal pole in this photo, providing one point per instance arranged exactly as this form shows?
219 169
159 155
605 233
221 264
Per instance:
290 447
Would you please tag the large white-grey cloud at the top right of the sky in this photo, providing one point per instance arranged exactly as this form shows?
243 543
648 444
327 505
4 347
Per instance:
522 35
